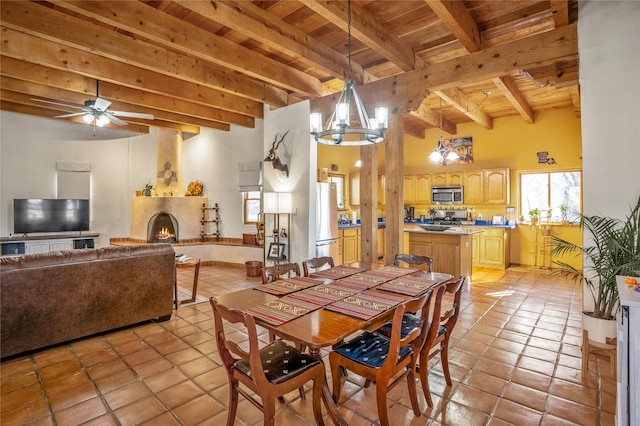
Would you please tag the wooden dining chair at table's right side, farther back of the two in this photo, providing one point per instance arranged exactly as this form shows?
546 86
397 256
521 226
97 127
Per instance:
437 341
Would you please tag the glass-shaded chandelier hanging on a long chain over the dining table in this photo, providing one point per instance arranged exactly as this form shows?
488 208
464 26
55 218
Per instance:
338 131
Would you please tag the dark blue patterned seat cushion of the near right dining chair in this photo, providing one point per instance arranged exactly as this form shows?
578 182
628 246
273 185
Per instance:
369 349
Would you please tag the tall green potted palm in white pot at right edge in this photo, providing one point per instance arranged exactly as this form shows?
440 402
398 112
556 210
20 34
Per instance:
611 247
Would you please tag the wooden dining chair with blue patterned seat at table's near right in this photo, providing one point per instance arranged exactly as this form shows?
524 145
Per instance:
380 359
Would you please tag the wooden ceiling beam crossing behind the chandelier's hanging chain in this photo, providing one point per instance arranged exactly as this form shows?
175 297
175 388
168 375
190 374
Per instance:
368 30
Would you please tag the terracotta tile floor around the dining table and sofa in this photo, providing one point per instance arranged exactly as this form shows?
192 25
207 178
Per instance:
515 359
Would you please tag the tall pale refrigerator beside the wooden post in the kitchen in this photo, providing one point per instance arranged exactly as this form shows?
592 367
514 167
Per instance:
327 221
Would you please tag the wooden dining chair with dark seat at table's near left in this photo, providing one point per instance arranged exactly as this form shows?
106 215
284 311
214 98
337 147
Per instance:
269 372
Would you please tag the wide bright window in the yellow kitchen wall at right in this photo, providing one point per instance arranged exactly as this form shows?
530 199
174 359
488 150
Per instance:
550 190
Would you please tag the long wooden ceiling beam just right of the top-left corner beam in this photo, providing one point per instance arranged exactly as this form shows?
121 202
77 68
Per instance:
175 34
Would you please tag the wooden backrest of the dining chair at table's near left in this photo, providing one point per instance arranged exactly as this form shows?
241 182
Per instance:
229 351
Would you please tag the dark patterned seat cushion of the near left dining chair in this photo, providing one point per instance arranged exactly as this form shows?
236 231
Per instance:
280 362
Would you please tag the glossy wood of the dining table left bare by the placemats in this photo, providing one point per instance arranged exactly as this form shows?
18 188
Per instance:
322 327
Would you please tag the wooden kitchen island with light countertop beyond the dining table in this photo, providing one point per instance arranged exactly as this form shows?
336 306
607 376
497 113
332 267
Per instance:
451 250
